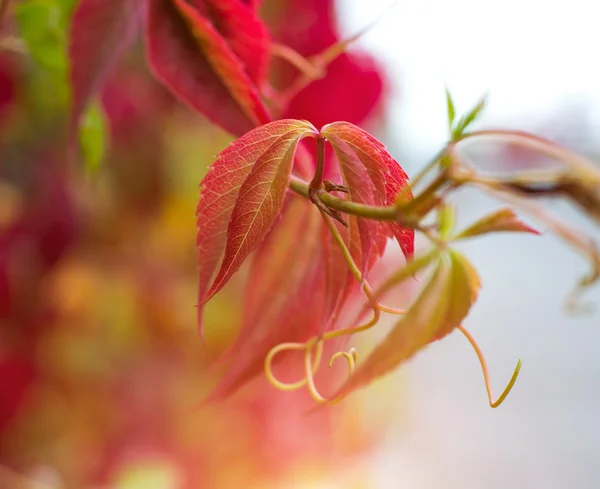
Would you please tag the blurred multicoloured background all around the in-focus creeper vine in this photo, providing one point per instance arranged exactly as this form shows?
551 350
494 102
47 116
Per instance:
101 369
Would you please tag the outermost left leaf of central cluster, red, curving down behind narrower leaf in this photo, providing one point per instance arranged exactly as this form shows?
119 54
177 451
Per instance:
221 186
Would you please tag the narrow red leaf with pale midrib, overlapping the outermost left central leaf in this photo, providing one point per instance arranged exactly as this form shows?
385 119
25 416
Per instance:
259 202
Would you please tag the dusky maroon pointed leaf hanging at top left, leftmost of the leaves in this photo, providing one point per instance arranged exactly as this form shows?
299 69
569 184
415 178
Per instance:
101 31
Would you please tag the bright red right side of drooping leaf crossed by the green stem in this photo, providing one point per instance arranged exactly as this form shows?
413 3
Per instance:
385 173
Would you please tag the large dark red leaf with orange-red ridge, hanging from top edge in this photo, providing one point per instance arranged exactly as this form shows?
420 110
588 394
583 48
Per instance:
191 58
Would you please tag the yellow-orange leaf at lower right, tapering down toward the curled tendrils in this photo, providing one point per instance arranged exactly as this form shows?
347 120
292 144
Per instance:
441 306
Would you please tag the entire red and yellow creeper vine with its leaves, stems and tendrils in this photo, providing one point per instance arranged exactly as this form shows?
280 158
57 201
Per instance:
308 197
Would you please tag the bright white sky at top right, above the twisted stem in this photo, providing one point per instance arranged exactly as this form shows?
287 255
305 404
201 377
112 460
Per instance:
530 55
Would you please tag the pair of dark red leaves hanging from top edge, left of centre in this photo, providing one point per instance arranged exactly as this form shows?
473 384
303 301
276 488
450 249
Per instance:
213 54
